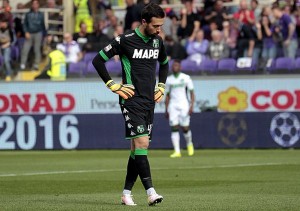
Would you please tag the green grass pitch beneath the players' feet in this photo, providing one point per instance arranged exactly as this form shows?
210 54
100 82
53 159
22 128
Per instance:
93 180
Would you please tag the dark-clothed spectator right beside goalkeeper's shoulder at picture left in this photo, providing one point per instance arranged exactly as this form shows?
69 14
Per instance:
97 39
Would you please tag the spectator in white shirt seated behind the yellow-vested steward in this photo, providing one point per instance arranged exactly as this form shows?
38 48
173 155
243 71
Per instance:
70 48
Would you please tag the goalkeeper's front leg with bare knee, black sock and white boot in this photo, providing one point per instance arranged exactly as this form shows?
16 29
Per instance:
143 168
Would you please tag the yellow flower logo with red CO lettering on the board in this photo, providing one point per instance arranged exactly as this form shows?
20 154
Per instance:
234 100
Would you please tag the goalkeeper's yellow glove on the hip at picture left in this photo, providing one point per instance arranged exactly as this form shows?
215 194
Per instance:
124 90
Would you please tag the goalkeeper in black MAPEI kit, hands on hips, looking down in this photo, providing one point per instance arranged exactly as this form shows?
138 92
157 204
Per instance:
139 50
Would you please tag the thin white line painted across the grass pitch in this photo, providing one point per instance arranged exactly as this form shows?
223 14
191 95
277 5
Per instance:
117 170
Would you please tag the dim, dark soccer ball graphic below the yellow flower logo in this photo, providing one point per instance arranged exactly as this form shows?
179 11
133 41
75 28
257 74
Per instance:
232 130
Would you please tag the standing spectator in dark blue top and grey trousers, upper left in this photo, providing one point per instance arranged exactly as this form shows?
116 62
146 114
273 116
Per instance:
34 28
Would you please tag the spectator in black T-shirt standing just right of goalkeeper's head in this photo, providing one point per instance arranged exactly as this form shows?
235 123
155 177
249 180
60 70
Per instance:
190 21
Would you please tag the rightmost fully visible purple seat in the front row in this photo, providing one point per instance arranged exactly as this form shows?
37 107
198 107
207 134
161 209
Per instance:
283 65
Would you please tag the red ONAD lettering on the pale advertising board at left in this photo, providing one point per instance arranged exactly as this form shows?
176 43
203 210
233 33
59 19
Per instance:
36 103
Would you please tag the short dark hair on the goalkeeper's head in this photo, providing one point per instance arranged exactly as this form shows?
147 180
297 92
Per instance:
152 10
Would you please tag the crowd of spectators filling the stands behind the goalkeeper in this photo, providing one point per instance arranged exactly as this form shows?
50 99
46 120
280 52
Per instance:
213 31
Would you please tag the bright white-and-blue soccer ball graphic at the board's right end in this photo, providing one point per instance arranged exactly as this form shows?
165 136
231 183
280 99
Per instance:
284 129
